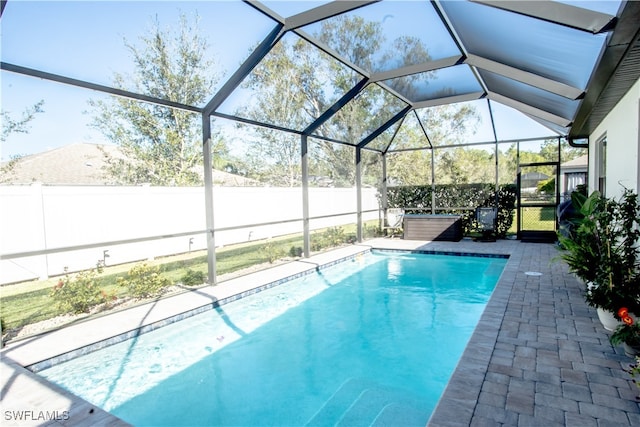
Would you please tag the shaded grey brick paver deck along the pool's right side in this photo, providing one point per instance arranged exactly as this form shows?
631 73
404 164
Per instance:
539 356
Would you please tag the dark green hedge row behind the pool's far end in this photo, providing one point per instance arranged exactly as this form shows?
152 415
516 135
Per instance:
452 197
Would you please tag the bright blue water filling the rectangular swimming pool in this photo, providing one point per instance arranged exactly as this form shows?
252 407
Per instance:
371 341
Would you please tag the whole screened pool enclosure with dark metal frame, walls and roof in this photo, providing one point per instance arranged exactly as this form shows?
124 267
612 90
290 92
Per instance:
349 97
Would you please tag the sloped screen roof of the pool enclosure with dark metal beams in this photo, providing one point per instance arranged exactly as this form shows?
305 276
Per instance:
561 64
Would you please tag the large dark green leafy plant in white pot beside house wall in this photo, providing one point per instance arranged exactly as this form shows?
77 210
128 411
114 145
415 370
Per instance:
602 249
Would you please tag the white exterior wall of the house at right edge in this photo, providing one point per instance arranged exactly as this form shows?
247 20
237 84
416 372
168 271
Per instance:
621 129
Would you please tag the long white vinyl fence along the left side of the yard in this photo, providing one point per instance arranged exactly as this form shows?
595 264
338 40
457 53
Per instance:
45 229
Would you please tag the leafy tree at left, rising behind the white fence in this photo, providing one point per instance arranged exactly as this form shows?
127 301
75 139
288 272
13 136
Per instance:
160 145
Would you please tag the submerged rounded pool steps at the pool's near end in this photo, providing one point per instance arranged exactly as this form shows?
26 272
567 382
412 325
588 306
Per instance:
361 402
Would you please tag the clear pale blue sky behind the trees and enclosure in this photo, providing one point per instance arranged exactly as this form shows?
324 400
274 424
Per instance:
85 40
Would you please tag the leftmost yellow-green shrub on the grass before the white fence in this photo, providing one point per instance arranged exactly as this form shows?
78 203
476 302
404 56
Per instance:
79 293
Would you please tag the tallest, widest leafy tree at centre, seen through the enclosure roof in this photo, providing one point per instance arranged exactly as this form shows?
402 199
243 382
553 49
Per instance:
296 83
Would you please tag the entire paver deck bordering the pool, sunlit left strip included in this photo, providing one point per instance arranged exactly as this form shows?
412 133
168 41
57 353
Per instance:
539 356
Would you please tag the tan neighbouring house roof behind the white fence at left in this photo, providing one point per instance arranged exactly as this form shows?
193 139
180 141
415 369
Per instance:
84 164
